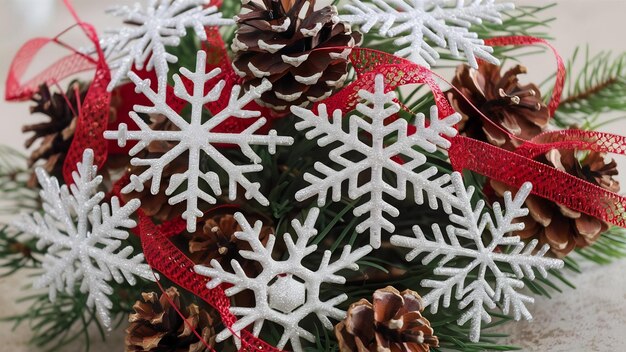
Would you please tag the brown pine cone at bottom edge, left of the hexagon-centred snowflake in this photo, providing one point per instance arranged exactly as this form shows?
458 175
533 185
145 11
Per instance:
156 326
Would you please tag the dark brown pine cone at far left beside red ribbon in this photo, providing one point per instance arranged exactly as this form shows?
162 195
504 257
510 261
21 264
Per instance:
56 135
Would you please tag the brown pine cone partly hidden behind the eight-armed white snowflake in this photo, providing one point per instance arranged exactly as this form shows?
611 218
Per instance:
156 205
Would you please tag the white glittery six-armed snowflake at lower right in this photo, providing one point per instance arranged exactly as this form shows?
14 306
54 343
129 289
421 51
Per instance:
485 258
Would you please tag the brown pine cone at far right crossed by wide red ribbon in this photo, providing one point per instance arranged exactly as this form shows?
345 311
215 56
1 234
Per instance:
562 228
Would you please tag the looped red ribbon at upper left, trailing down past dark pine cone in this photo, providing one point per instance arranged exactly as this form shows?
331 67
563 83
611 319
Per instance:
93 113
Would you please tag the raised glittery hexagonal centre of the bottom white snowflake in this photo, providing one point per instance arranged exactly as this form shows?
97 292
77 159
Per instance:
286 294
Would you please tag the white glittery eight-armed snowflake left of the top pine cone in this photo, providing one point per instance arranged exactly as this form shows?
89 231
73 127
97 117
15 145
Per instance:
196 137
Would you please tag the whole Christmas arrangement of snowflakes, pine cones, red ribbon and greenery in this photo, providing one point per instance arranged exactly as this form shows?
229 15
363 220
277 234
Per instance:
301 175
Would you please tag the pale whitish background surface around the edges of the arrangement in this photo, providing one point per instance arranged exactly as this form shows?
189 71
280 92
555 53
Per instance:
591 318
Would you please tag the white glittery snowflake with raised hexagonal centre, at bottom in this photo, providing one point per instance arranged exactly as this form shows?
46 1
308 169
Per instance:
286 292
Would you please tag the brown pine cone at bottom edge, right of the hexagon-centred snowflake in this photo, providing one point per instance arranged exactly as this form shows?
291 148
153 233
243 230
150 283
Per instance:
392 323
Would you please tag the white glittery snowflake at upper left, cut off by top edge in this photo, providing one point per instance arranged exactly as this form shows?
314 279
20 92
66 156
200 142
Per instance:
161 23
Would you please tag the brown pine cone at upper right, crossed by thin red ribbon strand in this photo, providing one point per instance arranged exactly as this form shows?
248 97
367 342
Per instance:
518 109
